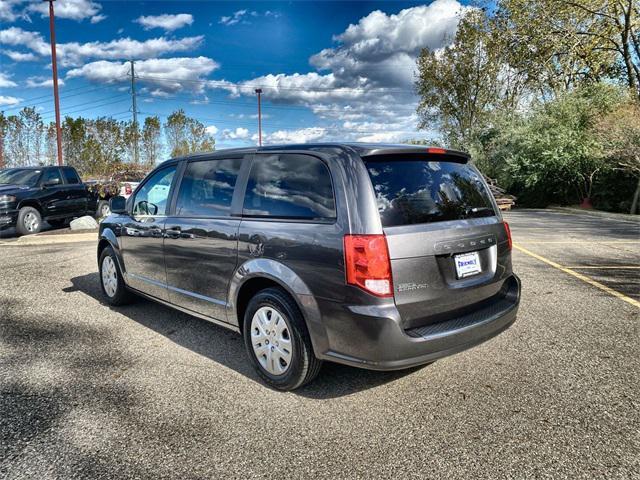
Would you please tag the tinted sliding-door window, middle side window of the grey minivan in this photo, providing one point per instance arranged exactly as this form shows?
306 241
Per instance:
207 187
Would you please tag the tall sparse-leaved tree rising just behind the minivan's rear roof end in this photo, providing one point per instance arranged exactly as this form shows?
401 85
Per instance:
462 85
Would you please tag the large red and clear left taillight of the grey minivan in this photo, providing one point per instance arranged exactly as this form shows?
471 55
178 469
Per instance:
367 263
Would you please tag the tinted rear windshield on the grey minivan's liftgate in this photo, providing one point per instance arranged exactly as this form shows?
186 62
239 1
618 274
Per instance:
418 191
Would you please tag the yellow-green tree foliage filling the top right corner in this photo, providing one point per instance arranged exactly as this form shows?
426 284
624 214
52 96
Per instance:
561 44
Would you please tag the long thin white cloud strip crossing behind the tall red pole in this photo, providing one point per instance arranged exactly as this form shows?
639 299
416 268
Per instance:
74 53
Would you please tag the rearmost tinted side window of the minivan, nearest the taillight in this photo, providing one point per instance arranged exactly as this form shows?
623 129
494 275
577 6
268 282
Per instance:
289 186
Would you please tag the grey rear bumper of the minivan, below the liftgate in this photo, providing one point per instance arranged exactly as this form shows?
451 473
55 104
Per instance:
372 337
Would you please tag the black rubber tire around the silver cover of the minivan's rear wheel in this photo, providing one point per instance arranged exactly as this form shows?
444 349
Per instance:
304 366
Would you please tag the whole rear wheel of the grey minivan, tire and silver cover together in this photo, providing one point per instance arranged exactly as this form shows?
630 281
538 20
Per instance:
277 341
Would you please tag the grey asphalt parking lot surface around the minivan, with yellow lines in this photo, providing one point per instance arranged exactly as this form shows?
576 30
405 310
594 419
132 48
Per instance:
89 391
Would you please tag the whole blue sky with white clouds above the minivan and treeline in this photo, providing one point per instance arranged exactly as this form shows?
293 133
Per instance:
328 70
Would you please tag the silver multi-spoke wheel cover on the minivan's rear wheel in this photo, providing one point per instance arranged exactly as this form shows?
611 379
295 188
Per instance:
271 340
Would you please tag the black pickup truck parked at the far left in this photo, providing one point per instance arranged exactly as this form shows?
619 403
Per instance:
29 195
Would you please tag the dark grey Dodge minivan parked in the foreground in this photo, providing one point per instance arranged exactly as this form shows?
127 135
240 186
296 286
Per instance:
375 256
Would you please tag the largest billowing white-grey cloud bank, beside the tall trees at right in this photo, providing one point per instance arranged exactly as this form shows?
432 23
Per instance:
368 77
